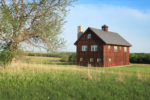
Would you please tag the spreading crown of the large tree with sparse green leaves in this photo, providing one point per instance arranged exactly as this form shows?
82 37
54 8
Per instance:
32 21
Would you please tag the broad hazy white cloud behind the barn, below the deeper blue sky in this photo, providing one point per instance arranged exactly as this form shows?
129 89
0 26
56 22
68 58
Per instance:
130 23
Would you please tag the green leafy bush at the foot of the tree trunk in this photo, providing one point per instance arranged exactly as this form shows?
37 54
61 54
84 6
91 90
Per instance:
6 57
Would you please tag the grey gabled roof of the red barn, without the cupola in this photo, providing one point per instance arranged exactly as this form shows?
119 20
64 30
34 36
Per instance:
109 37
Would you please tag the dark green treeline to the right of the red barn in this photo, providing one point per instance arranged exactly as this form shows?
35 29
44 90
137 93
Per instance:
143 58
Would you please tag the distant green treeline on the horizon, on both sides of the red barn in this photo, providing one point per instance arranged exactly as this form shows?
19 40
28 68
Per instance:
143 58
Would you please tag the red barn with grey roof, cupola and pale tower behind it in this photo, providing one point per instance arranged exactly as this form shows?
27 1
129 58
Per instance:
101 48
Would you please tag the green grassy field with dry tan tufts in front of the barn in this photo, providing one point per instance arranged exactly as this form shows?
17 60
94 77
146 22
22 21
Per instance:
44 78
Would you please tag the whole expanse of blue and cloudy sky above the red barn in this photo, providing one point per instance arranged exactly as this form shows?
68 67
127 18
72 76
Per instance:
129 18
